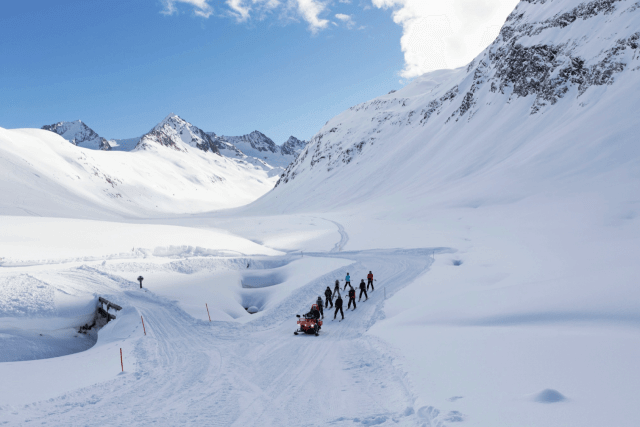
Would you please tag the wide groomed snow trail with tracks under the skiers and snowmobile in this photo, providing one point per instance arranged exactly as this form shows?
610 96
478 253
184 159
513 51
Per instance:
193 372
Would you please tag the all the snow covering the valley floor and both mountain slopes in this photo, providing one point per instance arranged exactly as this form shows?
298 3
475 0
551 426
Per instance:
503 241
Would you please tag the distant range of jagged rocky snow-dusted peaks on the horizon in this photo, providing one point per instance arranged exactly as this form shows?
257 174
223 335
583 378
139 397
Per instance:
178 134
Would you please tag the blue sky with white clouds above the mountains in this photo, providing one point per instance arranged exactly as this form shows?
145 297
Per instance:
283 67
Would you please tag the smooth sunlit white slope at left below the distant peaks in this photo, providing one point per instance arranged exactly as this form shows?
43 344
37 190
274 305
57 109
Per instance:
42 174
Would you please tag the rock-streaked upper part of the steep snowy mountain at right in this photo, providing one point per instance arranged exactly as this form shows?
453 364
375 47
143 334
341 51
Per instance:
548 52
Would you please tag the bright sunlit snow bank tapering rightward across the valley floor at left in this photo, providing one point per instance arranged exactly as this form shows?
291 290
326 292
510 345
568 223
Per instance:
25 240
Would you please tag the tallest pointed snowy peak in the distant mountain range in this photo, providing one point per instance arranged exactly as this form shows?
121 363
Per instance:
177 133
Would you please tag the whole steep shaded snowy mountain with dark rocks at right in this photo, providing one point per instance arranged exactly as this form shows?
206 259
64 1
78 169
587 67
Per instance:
559 81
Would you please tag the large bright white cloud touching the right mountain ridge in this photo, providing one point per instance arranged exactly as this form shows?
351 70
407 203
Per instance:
445 34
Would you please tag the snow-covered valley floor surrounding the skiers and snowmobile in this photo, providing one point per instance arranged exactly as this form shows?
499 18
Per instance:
473 330
